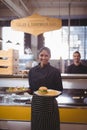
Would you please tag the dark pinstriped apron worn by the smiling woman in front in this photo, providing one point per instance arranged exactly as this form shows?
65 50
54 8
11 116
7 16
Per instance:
44 113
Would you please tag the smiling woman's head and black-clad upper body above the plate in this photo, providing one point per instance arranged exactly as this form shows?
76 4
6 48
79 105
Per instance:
44 74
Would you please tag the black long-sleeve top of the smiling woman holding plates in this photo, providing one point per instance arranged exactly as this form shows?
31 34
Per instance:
47 76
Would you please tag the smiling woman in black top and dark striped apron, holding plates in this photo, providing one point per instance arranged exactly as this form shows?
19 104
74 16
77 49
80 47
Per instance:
44 112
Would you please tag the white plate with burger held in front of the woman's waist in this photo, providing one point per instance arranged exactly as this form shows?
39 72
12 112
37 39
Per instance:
43 91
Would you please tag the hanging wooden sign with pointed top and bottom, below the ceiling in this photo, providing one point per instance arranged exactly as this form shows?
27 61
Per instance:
36 24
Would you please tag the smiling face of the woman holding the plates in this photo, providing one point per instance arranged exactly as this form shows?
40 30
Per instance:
44 57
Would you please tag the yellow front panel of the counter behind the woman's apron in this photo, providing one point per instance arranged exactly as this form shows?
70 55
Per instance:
20 112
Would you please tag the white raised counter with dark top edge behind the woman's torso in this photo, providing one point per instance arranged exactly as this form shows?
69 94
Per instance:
69 80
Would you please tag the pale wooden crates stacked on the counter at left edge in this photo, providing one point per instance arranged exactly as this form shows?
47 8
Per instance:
9 62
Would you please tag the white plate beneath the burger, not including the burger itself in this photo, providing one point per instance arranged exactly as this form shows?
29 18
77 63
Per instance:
51 92
